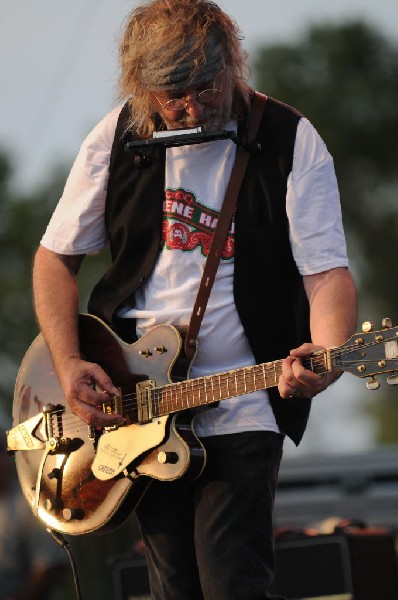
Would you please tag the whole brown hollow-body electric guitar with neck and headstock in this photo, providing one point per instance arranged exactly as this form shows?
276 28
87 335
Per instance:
79 480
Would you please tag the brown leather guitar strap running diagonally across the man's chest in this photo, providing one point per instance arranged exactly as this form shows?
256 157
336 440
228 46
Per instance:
224 223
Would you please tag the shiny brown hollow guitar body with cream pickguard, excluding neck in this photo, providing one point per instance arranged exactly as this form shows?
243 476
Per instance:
59 483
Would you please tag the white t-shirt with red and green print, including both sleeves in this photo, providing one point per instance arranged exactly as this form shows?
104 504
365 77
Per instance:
196 179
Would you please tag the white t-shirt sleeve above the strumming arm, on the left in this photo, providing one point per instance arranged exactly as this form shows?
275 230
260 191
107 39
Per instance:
77 225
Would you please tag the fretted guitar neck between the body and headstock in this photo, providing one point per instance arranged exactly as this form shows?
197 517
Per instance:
202 391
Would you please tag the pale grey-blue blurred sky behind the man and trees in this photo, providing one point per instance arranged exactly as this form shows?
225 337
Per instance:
58 71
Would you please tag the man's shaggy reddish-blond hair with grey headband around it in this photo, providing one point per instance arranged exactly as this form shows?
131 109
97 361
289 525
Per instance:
169 44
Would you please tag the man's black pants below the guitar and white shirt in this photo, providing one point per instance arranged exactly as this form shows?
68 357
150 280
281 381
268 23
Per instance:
212 538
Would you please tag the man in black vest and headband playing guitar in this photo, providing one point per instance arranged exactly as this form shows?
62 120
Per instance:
182 66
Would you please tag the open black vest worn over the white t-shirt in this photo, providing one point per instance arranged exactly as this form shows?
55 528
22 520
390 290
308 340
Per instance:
268 289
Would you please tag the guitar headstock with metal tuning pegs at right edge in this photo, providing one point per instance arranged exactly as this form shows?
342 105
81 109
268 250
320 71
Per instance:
370 353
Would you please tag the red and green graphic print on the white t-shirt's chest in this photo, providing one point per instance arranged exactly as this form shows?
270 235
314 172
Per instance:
188 224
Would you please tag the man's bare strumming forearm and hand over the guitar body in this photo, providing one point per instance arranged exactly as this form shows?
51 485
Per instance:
56 300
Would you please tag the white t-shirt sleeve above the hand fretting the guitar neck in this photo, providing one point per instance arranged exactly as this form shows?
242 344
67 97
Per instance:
313 205
